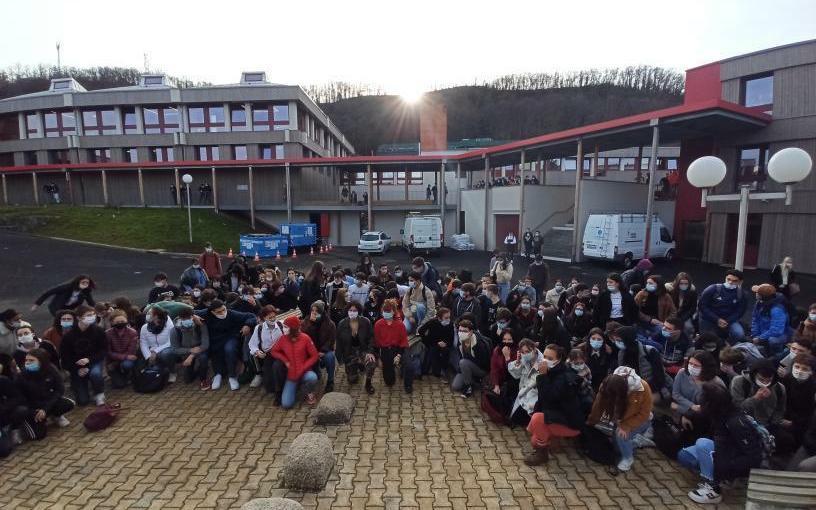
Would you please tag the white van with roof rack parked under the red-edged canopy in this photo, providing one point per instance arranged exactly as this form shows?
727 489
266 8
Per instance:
621 237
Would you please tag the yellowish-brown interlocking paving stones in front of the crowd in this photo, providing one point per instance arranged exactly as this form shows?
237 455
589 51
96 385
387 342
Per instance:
184 448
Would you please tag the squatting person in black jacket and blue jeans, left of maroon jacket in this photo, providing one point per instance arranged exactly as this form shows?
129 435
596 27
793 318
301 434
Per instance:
82 352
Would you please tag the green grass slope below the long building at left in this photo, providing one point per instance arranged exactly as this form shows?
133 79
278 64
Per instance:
164 229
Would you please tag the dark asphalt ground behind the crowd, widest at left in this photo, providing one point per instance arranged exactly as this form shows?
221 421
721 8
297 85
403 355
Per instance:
29 265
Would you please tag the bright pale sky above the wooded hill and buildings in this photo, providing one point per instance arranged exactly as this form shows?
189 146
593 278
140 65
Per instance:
403 47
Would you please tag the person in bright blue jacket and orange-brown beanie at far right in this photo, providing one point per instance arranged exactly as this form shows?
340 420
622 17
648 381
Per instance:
769 322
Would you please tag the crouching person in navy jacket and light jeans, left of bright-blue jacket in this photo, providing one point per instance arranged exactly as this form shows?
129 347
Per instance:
722 305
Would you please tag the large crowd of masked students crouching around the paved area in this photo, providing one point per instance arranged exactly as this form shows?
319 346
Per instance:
563 358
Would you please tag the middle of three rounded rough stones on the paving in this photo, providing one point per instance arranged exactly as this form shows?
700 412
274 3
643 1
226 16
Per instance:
309 462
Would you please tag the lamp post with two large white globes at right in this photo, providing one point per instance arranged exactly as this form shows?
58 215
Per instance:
788 166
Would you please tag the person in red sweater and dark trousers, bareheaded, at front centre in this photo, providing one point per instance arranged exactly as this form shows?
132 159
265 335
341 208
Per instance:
391 341
